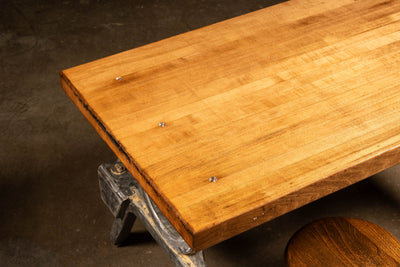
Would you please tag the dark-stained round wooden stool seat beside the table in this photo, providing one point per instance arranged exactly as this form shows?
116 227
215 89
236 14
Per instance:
342 242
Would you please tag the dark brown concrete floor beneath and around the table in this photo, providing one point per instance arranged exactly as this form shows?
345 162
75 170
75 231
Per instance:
51 213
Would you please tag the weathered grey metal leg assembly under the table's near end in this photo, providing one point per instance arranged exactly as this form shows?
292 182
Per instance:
127 200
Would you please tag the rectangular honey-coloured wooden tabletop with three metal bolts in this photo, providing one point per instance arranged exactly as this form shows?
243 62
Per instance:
283 106
